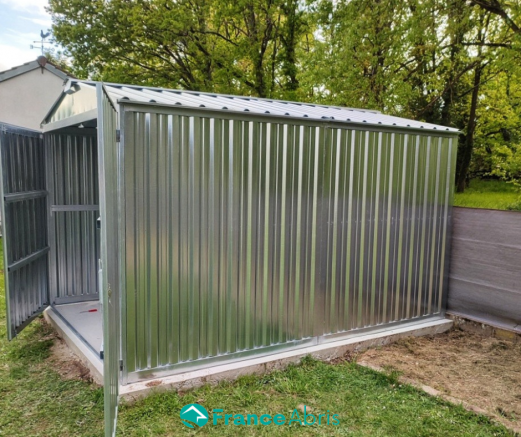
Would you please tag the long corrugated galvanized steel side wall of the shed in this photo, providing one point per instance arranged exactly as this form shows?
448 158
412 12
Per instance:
246 235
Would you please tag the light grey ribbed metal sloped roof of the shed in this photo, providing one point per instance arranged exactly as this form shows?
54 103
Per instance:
120 93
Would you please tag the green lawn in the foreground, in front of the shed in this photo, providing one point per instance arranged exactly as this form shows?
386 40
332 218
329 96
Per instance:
36 401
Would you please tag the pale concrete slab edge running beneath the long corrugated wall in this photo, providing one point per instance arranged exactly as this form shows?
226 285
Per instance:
257 366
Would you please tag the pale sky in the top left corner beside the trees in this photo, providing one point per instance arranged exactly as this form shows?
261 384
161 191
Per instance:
20 24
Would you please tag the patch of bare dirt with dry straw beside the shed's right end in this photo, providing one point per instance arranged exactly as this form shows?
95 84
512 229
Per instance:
478 370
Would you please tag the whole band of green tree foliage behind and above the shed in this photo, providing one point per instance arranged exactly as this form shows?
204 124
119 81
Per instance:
452 62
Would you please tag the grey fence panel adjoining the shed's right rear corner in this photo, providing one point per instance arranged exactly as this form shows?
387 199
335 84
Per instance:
485 273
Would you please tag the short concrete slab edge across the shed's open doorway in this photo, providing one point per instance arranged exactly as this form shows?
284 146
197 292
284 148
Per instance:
82 351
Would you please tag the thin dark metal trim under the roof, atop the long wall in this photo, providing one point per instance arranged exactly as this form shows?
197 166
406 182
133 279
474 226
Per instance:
134 105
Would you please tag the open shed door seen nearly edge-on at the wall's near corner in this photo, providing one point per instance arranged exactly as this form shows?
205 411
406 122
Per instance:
109 274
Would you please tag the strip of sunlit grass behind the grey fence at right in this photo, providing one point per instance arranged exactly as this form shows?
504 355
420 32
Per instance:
490 194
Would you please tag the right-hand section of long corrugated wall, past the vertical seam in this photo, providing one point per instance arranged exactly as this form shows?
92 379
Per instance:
384 210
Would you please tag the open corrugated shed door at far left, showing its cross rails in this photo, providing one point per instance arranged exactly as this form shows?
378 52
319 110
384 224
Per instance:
24 225
